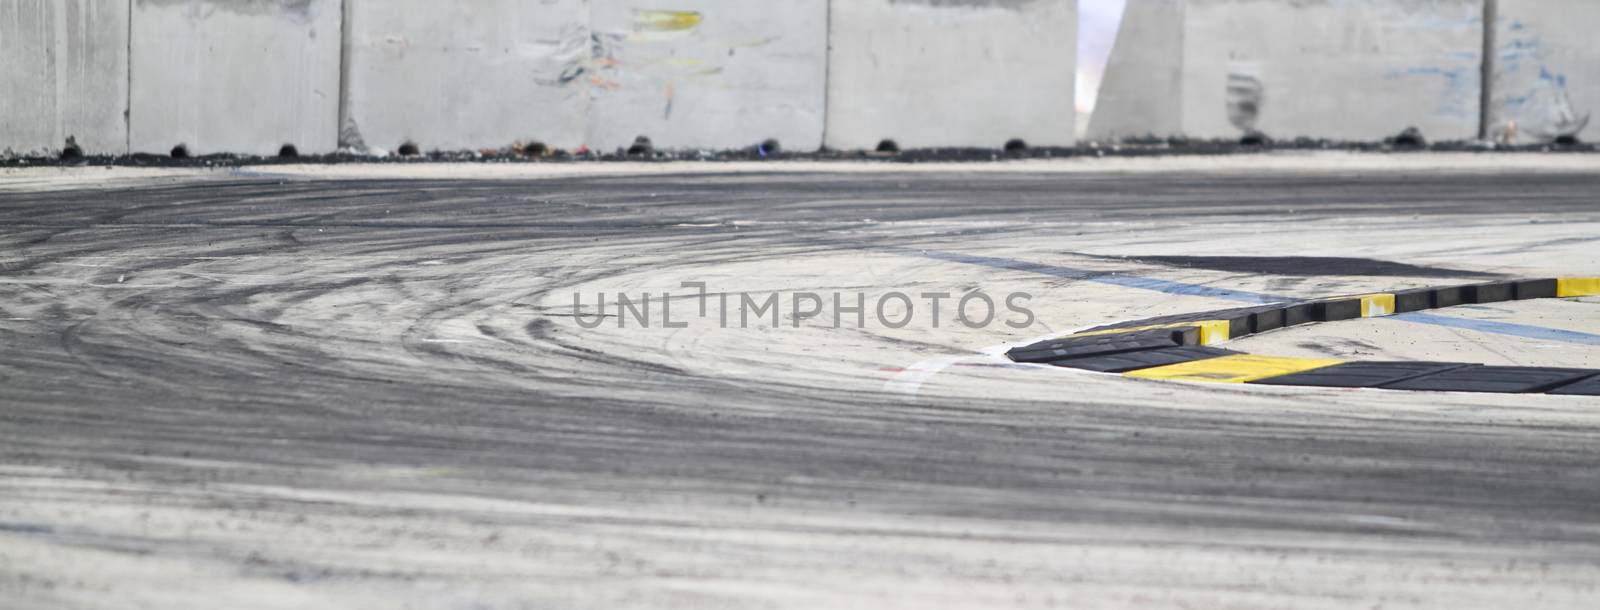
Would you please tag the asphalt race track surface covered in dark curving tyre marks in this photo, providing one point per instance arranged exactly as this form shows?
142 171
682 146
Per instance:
258 390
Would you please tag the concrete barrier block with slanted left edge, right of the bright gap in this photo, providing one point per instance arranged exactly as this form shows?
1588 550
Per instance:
1340 70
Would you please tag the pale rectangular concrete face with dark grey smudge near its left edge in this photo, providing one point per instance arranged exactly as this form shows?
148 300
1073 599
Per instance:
1342 70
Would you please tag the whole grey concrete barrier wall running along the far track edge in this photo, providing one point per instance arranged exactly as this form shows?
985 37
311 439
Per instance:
249 76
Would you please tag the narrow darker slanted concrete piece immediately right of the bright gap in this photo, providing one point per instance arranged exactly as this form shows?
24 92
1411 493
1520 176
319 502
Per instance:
1143 89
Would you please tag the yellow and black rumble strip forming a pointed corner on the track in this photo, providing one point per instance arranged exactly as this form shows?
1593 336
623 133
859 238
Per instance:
1183 348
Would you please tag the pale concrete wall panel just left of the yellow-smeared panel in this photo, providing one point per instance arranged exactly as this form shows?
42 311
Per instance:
468 74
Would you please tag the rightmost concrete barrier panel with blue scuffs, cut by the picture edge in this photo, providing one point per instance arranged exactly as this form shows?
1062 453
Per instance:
1548 79
